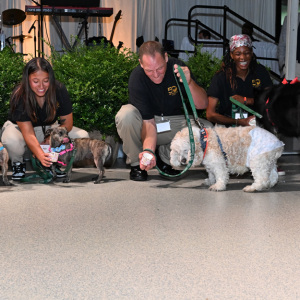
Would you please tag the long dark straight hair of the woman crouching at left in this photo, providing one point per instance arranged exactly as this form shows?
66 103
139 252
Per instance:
24 93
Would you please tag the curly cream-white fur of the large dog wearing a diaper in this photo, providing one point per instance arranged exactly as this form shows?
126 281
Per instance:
235 142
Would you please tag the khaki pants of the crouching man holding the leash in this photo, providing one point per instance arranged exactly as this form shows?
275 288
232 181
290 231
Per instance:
129 126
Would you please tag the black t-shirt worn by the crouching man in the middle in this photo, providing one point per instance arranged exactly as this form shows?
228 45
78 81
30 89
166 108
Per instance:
156 99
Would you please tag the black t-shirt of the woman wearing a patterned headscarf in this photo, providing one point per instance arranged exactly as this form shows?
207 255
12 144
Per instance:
220 88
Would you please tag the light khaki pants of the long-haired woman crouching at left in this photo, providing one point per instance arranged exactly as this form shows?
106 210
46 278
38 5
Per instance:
12 139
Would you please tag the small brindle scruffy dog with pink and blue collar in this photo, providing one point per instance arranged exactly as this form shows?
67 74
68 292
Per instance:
84 148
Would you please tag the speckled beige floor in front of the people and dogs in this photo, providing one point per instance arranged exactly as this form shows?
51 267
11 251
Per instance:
150 240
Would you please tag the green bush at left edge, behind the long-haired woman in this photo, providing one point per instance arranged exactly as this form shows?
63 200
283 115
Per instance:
11 67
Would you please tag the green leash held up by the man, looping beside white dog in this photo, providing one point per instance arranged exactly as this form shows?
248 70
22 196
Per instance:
191 135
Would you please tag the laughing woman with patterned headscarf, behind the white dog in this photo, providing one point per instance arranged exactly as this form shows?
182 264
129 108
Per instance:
239 75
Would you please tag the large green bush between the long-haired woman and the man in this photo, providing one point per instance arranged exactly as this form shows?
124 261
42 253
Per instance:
96 78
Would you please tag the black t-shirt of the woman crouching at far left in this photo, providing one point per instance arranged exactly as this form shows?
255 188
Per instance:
64 107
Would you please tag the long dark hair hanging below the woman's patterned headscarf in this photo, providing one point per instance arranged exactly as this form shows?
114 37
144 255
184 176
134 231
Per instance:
229 68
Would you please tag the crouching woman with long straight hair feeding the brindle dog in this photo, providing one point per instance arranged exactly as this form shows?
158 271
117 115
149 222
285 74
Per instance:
36 104
